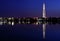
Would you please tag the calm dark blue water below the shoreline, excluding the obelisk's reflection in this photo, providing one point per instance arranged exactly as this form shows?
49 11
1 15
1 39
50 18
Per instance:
29 33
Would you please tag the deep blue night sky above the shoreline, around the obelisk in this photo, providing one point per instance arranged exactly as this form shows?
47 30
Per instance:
28 8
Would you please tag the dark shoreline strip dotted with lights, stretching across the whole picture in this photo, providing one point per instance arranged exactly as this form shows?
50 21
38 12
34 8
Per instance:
27 20
